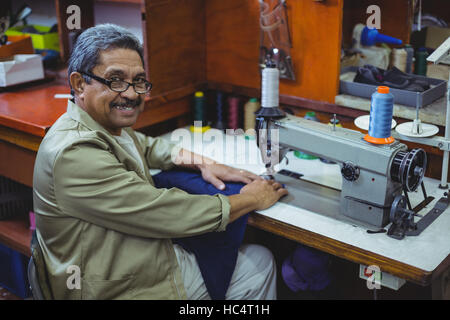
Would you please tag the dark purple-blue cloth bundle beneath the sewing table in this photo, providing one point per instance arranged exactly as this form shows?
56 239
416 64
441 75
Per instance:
306 269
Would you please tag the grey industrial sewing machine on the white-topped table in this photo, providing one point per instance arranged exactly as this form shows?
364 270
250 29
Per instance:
376 179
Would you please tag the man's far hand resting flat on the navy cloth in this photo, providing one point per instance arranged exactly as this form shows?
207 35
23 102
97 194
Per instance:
216 174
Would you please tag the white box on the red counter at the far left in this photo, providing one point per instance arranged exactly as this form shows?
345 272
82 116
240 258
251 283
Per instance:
24 68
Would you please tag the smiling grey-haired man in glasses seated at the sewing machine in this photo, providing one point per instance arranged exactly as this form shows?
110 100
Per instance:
97 209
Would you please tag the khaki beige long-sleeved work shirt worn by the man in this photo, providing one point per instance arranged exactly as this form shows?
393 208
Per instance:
97 212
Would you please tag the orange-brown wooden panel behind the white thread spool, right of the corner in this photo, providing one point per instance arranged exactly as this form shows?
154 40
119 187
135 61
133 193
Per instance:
232 46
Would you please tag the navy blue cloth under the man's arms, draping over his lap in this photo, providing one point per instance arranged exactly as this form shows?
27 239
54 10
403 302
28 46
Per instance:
216 252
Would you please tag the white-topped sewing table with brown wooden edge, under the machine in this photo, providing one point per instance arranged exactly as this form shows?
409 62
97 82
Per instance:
423 260
